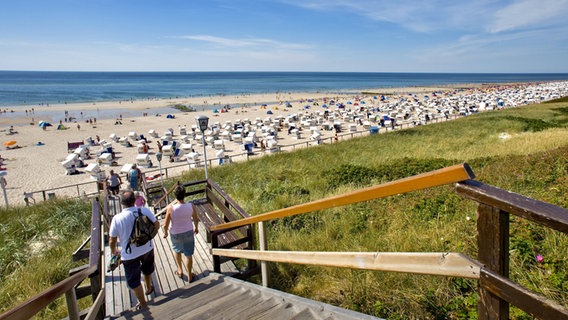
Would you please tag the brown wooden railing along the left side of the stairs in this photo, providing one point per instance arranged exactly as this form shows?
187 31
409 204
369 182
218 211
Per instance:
94 271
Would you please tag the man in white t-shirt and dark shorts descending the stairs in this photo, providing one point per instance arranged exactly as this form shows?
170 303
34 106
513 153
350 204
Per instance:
140 259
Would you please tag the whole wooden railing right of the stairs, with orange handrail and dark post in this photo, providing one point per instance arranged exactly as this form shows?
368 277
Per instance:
496 290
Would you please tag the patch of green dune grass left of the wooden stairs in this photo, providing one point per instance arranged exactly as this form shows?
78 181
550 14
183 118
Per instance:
36 244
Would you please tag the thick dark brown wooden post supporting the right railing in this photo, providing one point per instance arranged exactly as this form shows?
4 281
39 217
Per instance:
493 252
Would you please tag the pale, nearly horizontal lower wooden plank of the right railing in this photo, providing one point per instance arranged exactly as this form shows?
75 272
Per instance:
433 263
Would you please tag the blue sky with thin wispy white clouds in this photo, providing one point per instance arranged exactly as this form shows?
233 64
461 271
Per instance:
285 35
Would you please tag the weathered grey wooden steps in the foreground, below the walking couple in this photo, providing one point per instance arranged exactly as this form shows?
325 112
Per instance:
220 297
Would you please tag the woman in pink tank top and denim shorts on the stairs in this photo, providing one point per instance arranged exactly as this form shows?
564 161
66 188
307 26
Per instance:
184 221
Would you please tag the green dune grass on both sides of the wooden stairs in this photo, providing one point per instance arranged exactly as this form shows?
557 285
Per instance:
532 160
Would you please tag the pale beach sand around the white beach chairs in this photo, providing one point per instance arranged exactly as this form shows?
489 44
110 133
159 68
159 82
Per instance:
32 167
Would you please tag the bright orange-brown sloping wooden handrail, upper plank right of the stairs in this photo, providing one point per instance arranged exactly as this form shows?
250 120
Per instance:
443 176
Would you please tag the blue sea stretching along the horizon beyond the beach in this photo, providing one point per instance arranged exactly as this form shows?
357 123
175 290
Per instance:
21 90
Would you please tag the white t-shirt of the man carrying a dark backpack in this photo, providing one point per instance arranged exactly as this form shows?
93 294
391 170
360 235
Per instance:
121 227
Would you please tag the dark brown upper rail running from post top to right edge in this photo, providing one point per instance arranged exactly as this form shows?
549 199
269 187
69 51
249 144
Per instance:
543 213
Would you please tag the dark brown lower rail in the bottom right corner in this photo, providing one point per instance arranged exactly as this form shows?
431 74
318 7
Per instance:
531 302
